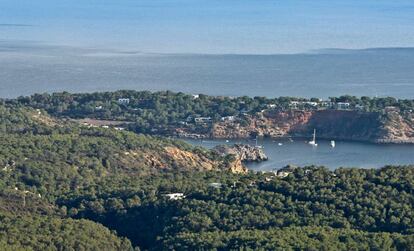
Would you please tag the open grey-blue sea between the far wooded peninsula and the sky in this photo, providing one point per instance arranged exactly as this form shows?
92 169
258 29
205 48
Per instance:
26 68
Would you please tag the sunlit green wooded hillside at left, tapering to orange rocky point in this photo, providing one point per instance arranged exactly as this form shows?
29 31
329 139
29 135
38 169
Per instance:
42 159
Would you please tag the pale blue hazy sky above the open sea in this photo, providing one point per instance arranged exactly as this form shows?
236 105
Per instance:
210 26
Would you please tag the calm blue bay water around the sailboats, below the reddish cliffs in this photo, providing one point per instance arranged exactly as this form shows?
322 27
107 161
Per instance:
345 154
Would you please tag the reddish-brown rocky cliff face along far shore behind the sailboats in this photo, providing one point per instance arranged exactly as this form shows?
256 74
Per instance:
390 127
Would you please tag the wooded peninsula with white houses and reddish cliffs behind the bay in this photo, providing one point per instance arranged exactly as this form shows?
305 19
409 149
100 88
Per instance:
377 120
